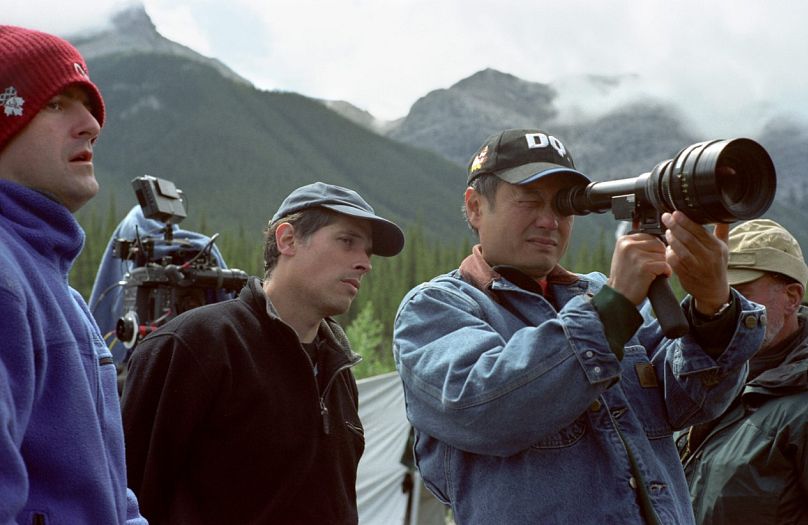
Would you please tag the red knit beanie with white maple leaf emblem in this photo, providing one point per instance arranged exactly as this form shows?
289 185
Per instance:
35 67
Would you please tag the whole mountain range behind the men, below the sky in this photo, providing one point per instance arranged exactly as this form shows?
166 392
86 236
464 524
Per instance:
236 151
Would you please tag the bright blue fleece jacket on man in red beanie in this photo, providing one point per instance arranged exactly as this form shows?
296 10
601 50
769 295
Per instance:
61 440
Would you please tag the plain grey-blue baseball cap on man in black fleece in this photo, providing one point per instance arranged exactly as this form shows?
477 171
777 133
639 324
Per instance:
388 239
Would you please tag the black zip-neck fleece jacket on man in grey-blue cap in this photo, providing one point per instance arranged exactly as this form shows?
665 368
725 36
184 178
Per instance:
225 422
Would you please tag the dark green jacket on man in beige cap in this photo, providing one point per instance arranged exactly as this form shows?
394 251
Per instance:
752 466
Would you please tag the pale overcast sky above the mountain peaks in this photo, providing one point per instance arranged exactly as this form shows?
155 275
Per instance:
730 63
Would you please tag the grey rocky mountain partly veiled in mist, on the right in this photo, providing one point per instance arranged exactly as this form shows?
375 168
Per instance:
613 128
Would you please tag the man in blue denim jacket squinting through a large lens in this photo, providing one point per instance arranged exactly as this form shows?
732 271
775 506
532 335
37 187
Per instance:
541 395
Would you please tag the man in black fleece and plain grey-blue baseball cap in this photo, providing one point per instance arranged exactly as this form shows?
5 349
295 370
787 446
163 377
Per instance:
245 411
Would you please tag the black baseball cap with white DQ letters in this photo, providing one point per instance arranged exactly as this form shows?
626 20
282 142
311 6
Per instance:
522 156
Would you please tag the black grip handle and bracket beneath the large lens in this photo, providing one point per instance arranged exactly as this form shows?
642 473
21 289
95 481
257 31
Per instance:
646 219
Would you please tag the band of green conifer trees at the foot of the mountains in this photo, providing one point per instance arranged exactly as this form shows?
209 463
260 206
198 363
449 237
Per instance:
370 319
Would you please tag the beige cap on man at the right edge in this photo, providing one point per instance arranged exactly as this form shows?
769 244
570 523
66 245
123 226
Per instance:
762 246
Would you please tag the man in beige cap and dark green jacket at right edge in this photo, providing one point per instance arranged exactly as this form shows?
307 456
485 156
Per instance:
751 464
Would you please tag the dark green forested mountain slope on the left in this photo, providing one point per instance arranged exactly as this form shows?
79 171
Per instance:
237 151
